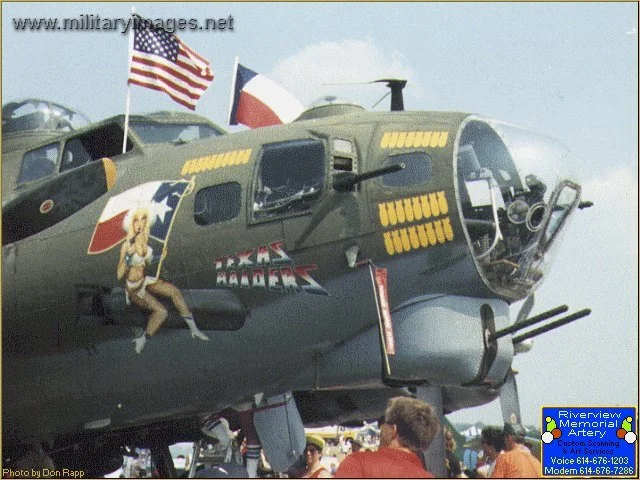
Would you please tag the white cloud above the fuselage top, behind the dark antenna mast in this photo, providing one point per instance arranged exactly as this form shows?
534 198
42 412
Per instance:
307 73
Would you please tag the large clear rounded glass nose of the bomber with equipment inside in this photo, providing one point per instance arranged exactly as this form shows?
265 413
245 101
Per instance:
511 215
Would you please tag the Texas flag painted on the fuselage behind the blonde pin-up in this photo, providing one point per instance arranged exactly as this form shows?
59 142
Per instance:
161 199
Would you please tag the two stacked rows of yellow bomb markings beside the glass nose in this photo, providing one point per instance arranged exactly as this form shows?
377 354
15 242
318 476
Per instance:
415 209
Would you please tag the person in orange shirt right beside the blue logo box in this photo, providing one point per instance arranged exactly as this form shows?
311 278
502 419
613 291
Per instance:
516 461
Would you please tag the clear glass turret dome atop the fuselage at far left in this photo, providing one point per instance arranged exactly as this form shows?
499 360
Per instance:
40 115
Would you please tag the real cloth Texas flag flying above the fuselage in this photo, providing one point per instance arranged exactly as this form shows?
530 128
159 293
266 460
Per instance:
259 102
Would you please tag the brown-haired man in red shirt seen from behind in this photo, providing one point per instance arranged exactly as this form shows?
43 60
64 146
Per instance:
409 427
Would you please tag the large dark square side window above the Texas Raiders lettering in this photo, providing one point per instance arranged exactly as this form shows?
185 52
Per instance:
290 177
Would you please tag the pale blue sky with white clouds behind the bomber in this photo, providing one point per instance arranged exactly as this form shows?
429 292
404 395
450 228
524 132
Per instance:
569 70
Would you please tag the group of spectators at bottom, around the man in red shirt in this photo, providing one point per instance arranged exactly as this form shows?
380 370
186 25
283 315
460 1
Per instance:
408 428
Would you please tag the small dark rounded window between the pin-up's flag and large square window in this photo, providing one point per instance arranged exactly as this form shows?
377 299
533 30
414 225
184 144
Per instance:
222 202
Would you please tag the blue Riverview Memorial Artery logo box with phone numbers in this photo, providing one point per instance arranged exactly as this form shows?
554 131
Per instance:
589 441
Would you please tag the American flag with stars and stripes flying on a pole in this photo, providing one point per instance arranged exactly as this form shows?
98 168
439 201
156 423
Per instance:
162 62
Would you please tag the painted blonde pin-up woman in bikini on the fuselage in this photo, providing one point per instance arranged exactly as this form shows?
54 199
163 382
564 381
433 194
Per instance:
135 255
